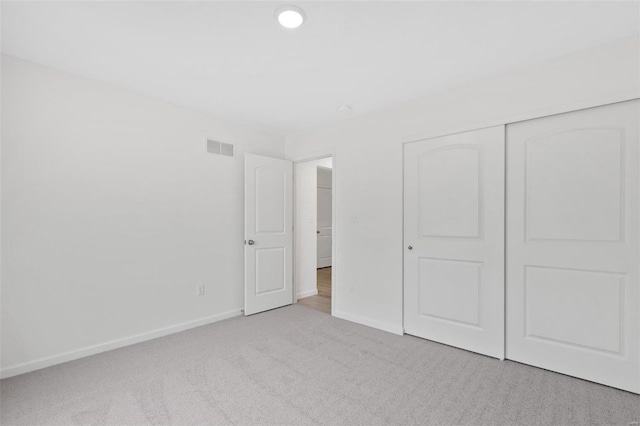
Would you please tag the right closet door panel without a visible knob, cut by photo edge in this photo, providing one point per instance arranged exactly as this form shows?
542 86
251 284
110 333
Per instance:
573 235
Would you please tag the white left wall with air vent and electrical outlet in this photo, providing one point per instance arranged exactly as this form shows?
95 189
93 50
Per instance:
112 213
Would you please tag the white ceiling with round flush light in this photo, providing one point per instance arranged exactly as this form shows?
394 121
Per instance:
232 59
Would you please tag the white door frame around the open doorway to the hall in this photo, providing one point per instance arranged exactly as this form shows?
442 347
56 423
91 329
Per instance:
334 257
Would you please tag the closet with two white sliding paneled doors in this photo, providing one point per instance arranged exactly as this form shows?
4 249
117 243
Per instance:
522 242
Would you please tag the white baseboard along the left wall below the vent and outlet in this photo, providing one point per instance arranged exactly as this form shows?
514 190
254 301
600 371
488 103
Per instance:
37 364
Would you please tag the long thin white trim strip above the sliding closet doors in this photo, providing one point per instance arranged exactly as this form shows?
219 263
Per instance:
539 113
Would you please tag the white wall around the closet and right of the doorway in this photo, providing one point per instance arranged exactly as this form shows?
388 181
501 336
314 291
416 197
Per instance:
368 152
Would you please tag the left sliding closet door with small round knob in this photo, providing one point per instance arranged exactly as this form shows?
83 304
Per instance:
454 240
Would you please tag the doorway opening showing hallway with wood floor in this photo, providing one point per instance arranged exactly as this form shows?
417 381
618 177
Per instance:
314 233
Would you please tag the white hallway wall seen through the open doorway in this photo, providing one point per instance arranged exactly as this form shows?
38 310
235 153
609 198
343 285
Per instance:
306 214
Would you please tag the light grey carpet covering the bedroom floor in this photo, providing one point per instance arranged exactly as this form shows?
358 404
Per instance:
298 366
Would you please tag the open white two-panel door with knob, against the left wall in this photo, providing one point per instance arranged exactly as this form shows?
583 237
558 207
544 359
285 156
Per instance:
268 204
